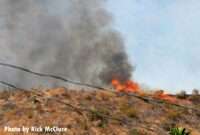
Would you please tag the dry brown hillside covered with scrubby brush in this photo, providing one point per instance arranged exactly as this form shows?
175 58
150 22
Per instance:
18 109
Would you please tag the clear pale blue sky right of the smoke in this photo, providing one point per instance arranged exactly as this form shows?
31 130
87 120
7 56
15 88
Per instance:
162 38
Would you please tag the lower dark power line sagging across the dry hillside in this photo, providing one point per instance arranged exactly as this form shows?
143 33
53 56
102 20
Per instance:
80 109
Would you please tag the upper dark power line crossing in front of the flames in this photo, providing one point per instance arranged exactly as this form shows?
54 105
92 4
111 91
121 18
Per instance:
96 87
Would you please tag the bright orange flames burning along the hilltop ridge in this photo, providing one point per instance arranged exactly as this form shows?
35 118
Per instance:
130 86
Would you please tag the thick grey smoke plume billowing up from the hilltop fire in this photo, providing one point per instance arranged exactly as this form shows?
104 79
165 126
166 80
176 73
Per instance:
71 38
